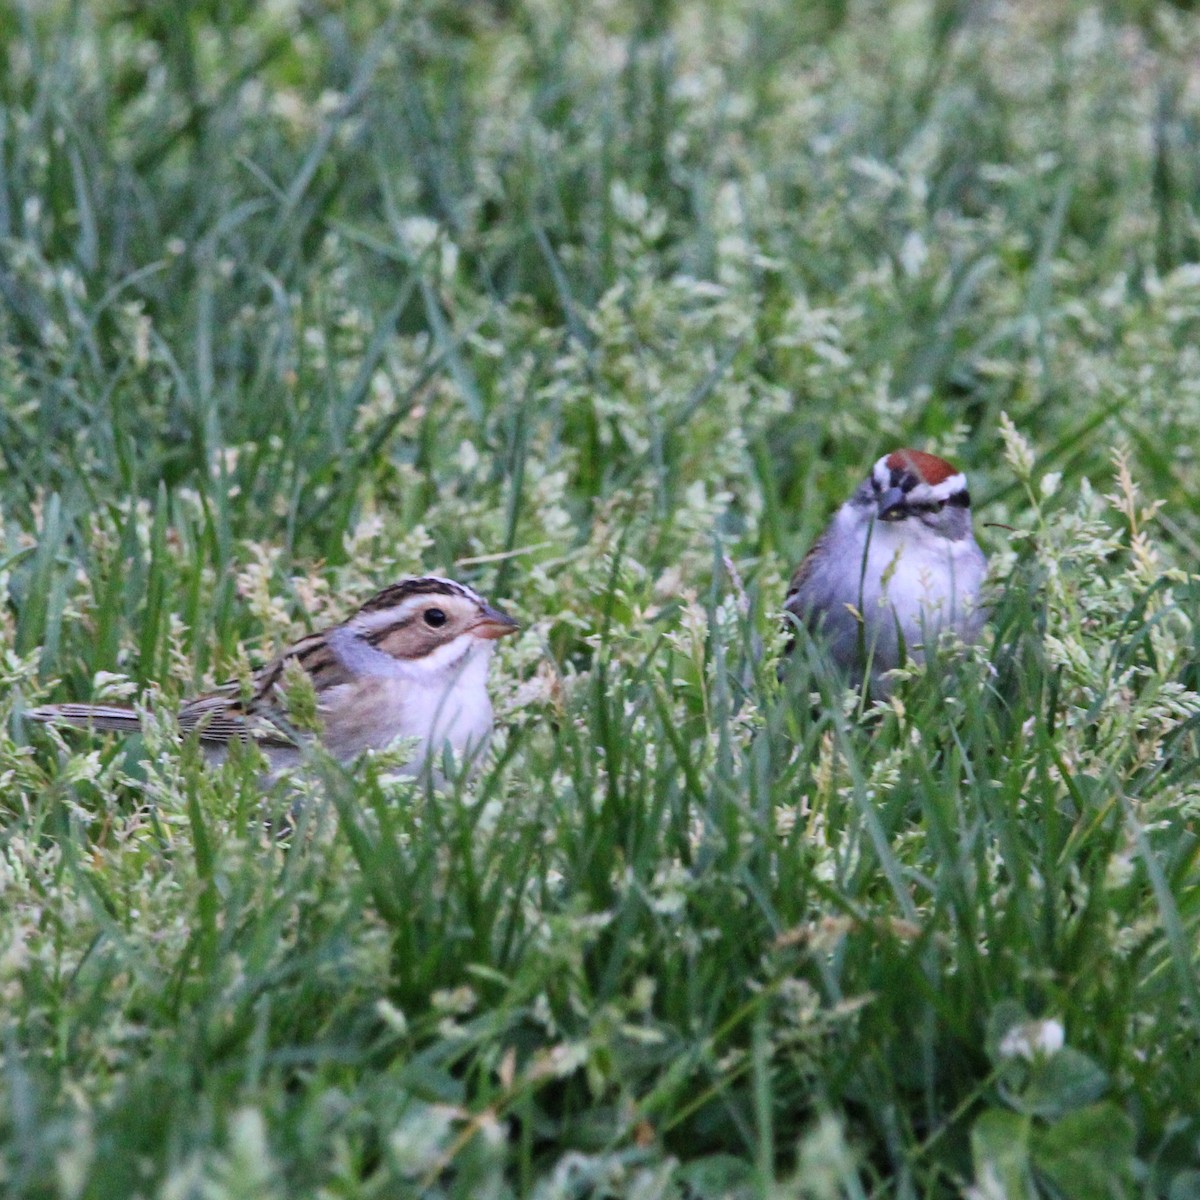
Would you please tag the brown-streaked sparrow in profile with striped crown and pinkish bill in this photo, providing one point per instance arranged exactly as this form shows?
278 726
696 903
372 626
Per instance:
411 663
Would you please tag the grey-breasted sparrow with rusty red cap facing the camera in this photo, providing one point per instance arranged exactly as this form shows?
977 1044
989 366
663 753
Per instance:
896 566
